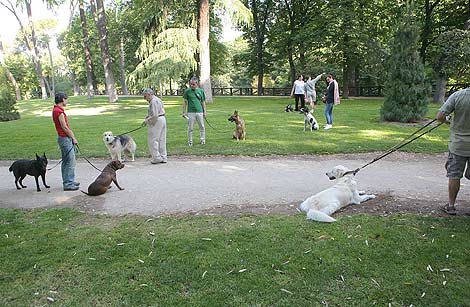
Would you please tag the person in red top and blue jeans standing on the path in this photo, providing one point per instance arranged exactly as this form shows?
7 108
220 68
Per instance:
66 140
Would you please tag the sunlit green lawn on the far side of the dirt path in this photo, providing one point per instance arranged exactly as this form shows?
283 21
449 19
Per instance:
270 130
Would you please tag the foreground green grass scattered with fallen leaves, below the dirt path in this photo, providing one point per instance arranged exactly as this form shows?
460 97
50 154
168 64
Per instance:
198 261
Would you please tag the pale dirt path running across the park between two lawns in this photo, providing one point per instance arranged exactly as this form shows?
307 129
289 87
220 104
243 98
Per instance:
233 185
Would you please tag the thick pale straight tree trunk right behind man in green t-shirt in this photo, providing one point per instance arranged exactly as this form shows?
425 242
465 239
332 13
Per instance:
204 53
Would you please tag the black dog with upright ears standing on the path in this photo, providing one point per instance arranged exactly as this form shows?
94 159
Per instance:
35 168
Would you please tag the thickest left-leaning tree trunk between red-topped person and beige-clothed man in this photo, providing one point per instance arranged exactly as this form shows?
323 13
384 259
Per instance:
103 35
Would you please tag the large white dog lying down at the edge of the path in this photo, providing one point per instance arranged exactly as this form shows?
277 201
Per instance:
320 206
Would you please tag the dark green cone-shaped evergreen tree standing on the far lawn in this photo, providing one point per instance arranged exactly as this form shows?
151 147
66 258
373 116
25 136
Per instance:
405 89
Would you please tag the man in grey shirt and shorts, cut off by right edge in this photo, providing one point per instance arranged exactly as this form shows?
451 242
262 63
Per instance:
459 142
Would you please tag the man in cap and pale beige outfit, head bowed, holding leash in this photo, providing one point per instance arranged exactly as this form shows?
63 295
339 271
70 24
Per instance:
156 122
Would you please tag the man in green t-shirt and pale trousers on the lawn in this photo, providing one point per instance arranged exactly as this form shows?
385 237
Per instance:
194 109
